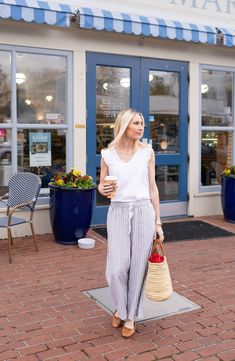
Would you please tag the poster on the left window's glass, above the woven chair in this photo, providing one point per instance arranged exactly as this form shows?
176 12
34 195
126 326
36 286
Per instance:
39 149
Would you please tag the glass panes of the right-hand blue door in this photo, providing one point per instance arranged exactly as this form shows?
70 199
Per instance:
164 128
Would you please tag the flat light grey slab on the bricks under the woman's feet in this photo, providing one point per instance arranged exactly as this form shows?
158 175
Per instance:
152 310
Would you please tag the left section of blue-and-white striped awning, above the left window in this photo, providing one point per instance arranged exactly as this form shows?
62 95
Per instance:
40 12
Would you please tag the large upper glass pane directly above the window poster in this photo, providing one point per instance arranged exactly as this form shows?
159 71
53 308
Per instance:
41 84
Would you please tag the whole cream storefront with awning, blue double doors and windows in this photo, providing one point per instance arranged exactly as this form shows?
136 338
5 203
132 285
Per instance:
66 71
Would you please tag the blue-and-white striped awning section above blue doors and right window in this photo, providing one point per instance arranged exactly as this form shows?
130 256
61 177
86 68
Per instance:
151 26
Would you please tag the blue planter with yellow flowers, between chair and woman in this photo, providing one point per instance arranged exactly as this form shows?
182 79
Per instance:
71 205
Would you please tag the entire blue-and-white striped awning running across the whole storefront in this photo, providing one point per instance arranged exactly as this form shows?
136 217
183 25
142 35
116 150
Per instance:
42 12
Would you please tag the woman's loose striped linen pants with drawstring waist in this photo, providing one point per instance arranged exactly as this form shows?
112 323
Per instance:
130 227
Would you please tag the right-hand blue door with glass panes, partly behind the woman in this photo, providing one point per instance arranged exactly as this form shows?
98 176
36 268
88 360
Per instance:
164 93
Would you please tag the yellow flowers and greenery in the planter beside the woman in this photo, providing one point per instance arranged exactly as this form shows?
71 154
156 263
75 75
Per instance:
72 179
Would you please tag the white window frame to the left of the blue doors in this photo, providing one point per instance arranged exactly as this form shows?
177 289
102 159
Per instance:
43 198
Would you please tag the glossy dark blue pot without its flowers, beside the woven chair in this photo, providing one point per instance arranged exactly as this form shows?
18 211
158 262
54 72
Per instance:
70 213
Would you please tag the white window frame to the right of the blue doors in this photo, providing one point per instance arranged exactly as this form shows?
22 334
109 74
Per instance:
214 188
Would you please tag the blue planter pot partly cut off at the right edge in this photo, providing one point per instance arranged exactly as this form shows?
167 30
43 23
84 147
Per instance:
228 198
